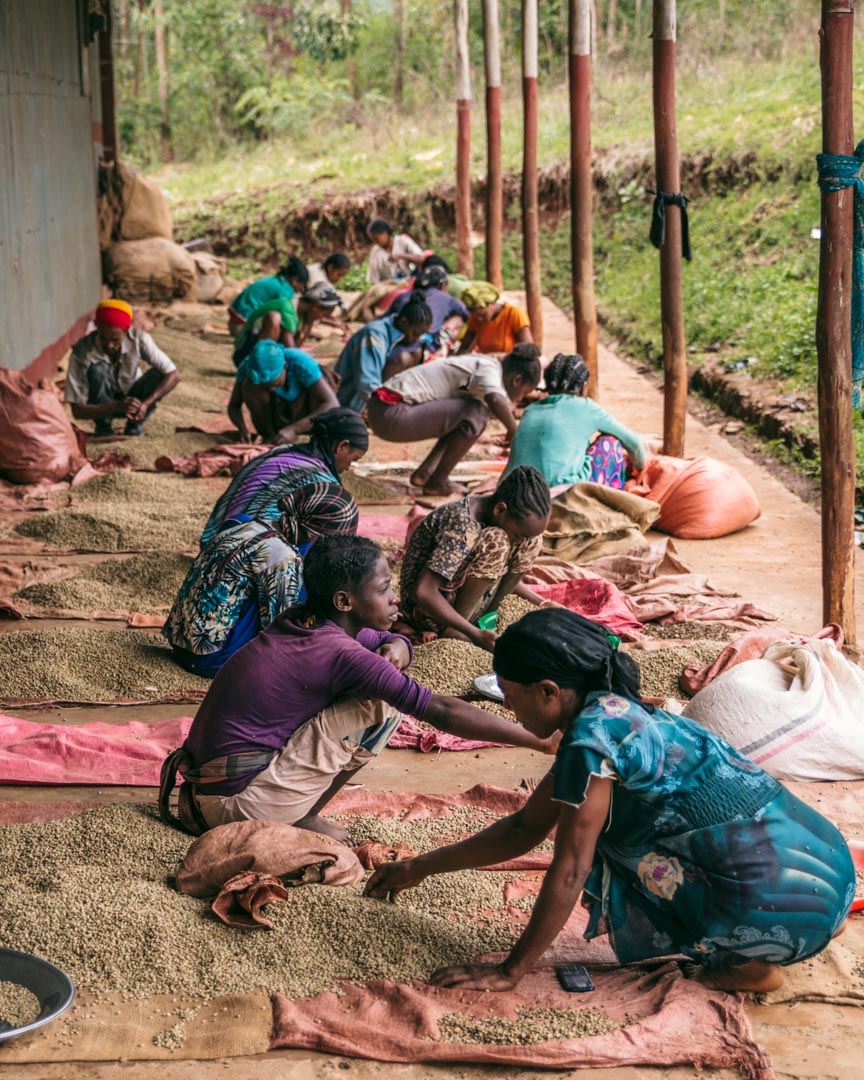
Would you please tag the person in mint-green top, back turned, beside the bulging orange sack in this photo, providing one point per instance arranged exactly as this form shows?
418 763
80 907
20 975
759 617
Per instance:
557 435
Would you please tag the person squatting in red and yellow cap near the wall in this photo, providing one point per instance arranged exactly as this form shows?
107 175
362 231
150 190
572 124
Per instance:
105 375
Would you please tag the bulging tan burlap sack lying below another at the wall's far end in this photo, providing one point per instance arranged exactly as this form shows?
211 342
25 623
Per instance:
151 271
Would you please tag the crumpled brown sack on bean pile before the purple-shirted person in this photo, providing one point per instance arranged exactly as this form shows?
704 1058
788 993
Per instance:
267 847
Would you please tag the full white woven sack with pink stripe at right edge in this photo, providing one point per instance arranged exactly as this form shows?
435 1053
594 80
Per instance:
799 712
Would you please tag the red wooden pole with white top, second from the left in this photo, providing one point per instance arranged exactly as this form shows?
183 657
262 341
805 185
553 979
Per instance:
495 184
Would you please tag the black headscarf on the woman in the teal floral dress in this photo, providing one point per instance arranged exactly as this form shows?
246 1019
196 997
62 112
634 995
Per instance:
569 650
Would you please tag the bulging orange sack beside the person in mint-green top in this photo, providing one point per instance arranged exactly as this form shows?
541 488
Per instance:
700 498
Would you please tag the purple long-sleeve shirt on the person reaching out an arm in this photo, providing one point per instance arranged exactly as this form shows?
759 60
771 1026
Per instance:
283 679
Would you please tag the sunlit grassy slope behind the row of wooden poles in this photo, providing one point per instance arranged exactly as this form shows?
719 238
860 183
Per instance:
752 285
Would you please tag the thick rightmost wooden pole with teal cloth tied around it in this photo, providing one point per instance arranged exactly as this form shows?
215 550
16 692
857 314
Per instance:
834 334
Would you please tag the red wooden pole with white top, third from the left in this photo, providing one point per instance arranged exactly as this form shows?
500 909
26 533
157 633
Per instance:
531 208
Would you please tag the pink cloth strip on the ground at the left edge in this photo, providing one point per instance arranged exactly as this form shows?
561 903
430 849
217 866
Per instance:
130 753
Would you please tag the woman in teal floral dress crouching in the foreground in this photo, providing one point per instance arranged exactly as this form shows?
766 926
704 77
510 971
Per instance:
677 843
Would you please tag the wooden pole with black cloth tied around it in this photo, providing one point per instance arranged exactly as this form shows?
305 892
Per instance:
669 183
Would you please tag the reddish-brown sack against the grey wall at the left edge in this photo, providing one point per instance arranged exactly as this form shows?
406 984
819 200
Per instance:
37 441
